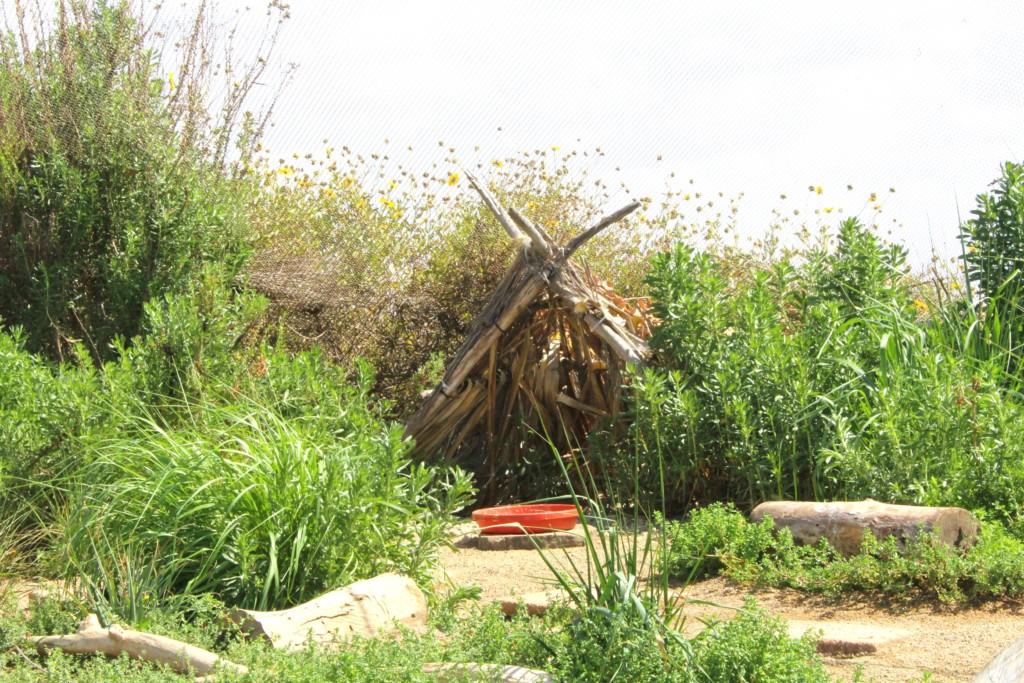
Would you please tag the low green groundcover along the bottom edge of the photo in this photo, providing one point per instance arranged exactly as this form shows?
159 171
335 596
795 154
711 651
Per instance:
753 647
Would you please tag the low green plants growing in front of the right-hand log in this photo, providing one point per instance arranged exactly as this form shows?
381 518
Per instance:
719 540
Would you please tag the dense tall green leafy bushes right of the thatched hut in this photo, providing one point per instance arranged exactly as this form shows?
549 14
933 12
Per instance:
824 377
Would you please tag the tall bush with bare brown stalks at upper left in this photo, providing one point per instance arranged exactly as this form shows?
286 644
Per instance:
112 183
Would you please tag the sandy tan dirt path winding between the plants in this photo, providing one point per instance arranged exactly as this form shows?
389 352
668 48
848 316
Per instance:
912 642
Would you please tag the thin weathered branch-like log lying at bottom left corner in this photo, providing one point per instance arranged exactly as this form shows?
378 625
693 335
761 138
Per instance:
115 642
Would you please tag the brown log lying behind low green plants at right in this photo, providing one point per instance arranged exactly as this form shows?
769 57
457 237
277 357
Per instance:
844 524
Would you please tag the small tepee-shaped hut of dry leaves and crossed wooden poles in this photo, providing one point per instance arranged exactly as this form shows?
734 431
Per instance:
542 362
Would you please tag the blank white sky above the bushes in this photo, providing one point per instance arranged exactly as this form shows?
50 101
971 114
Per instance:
761 98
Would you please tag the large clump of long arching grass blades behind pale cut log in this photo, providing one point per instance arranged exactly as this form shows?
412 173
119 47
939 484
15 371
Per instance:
264 506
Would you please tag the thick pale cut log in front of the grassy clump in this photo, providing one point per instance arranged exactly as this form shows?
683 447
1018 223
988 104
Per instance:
367 608
